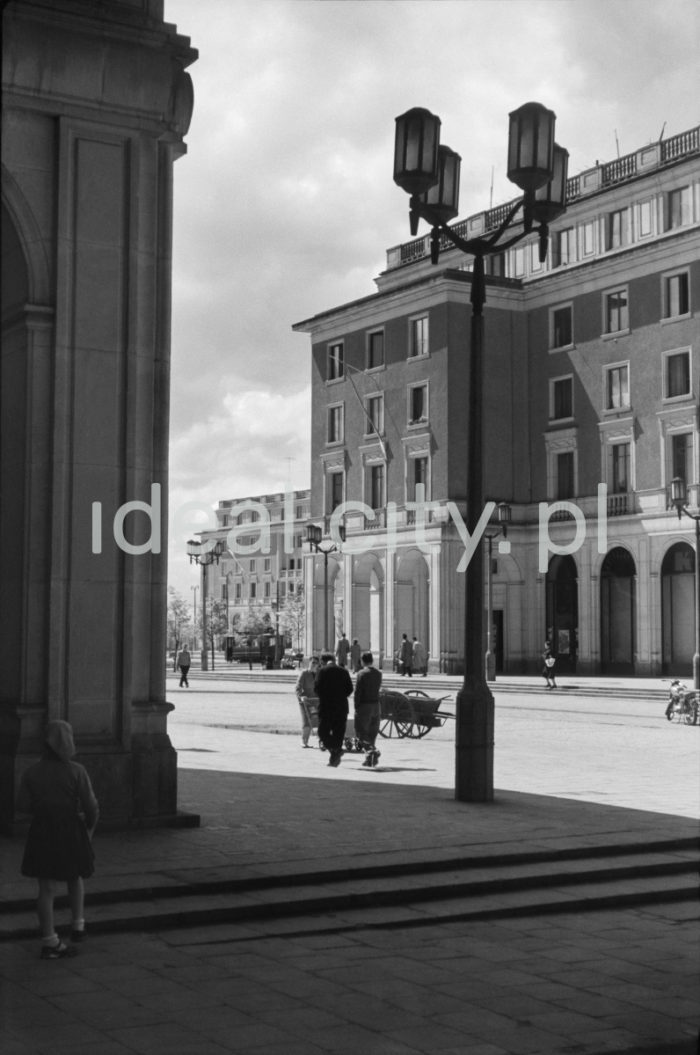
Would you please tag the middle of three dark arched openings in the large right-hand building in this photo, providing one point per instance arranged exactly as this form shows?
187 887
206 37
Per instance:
618 612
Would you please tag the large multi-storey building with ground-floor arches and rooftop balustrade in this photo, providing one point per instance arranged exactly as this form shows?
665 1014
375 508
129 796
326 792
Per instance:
591 409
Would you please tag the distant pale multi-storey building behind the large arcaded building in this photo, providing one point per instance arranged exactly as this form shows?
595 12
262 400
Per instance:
262 563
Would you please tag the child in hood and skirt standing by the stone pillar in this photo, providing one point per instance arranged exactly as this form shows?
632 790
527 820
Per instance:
59 846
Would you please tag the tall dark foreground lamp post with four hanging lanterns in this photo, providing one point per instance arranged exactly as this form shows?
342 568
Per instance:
431 174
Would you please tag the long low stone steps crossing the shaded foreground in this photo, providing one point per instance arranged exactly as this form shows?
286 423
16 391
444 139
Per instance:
474 891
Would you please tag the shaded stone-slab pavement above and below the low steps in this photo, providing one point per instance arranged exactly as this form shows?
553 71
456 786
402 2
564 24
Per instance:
624 981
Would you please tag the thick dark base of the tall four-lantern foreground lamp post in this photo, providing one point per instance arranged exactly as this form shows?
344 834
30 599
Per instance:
474 761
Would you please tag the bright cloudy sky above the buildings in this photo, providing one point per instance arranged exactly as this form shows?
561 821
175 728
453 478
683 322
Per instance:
285 204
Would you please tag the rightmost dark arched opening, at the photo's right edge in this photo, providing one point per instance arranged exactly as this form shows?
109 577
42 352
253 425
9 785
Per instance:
678 610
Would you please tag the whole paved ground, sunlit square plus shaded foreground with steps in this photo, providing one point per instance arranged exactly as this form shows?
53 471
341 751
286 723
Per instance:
353 910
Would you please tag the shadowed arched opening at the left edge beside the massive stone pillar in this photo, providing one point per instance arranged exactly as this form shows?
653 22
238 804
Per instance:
13 454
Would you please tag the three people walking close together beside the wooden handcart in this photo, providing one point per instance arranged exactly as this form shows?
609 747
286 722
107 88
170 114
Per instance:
326 687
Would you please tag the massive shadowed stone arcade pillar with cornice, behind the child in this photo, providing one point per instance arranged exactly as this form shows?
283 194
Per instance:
96 104
